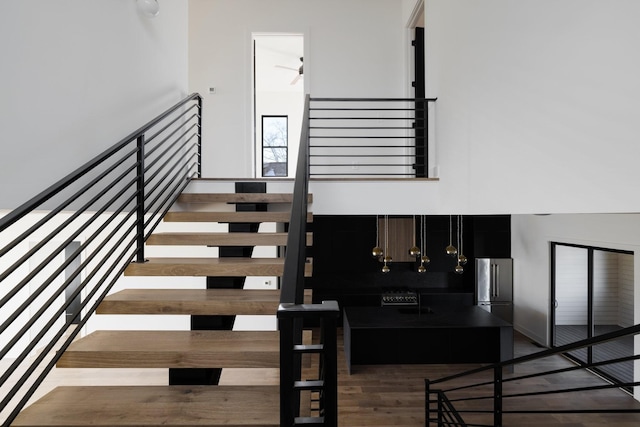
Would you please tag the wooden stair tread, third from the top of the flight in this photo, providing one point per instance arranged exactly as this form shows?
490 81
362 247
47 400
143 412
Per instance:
222 239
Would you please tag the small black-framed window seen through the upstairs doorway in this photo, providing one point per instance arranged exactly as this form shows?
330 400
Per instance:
275 145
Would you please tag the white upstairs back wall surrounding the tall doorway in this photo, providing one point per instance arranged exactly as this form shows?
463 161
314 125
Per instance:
352 48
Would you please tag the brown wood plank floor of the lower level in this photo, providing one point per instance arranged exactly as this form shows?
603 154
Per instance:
393 395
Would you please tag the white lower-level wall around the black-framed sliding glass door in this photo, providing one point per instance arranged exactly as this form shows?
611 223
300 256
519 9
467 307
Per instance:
530 248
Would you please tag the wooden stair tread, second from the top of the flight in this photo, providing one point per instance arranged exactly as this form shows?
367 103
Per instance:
230 217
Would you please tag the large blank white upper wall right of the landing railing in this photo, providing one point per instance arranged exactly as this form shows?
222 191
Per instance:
537 104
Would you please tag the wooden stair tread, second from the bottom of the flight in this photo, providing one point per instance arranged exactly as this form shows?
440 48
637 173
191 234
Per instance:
174 349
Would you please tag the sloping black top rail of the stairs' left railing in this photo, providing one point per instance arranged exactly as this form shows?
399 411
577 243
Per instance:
55 188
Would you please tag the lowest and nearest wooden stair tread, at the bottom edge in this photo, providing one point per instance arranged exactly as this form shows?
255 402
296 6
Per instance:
230 406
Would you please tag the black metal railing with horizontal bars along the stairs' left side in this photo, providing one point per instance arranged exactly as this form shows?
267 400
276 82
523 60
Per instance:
64 249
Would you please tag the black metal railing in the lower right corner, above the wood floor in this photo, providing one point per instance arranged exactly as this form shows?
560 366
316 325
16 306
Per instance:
492 390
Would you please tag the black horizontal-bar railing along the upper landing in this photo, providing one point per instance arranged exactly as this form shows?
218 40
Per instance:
369 137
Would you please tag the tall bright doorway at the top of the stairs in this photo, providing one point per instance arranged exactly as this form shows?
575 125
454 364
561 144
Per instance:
278 99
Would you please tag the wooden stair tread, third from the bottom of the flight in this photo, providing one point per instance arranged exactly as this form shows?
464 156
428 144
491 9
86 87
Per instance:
194 301
